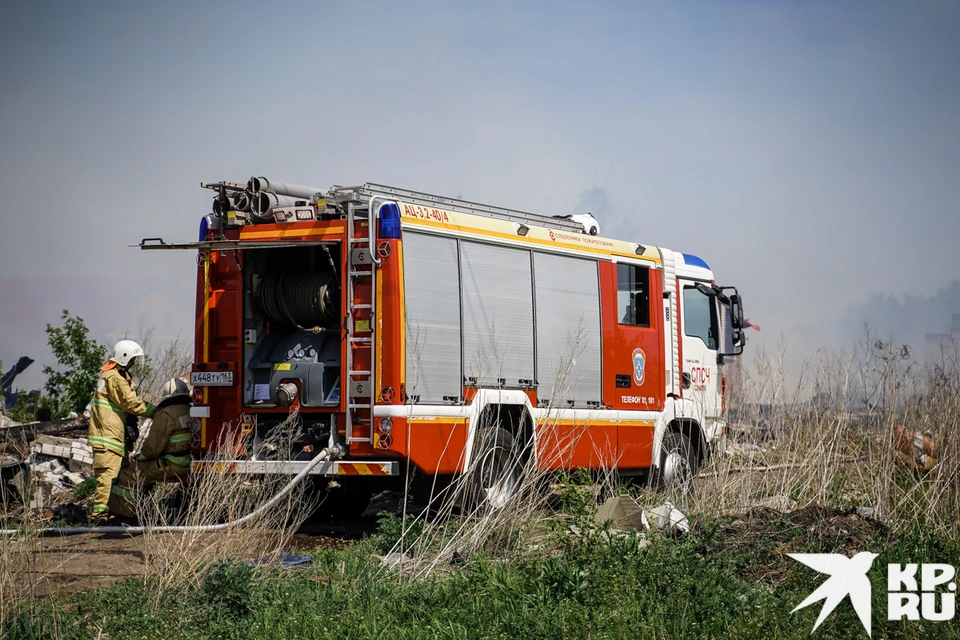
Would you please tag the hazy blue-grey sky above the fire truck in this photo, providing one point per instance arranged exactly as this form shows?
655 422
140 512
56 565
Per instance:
808 151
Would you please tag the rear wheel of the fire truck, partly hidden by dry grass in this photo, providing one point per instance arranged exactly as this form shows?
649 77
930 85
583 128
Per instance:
497 472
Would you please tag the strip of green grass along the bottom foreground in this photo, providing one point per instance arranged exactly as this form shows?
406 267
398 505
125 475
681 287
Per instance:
702 586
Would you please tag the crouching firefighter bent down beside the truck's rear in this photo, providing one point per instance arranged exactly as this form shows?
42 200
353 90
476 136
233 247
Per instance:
165 454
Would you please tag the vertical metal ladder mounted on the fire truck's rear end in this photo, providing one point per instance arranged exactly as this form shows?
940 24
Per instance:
360 385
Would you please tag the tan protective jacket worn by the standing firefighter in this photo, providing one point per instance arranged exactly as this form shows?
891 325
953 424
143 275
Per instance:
112 401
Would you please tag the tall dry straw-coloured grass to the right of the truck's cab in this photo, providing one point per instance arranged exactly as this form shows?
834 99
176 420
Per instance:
828 441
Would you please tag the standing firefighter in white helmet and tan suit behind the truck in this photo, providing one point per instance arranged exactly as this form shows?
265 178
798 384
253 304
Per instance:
113 400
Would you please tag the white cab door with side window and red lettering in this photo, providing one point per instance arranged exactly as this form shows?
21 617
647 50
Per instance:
700 332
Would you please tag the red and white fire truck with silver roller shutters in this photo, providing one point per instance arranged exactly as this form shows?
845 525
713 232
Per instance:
414 331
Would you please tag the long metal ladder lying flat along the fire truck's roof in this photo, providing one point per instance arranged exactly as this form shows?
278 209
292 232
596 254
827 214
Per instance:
370 190
